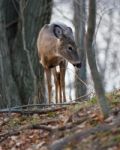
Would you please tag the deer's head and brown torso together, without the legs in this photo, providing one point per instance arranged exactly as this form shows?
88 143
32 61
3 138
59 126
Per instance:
56 43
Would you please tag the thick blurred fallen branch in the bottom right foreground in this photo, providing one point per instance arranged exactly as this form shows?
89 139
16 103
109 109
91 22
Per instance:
60 144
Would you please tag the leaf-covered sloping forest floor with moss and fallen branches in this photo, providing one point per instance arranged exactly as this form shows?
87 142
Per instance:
70 127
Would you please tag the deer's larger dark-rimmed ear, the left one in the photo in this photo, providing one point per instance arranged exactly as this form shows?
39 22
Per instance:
57 30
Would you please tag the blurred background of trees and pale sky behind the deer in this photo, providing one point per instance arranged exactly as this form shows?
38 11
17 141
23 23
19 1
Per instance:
21 75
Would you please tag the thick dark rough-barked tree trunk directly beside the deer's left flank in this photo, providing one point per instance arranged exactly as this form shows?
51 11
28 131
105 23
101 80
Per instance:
34 20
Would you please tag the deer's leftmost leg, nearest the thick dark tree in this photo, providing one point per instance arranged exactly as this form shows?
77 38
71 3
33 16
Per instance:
49 84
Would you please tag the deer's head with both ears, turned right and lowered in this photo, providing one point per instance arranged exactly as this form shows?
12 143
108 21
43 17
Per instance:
66 46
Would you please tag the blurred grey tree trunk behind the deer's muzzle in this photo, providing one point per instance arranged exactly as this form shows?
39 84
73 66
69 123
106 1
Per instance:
79 23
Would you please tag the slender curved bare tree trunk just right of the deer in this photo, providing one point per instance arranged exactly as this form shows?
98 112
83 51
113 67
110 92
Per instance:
91 59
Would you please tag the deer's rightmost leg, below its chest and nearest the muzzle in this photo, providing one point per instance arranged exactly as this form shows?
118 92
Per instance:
62 79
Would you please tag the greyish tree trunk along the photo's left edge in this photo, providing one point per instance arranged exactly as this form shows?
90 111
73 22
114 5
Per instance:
9 95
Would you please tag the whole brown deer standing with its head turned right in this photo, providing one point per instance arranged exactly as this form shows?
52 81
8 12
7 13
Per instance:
56 47
